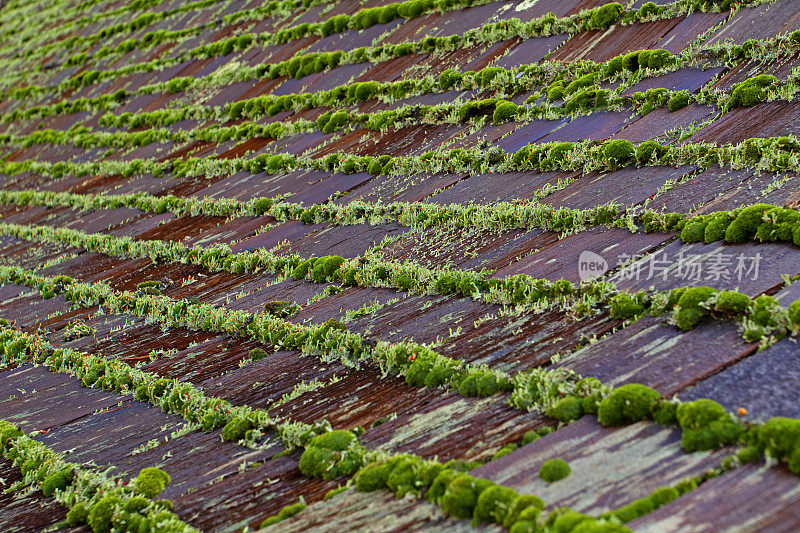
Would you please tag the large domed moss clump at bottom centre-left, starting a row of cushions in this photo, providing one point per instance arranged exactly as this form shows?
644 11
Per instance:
331 455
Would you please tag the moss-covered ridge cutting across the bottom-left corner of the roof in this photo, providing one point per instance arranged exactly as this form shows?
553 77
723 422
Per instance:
93 496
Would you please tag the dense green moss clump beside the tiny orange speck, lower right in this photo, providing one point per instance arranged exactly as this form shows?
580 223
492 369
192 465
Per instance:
706 426
